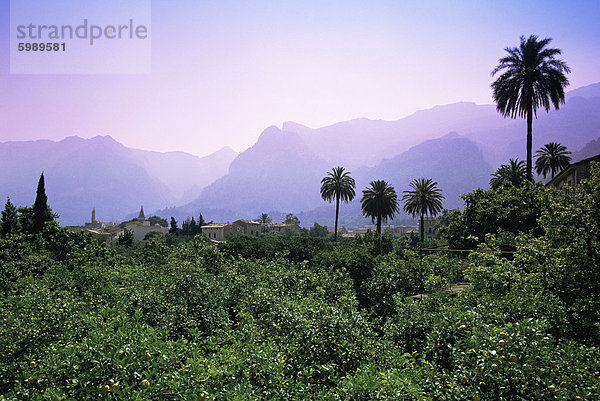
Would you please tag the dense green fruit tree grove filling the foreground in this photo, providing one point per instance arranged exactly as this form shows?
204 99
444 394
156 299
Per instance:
298 318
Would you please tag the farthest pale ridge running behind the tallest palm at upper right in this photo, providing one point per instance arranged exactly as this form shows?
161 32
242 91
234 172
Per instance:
364 142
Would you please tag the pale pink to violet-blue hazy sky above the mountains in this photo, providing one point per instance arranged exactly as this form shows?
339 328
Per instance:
222 71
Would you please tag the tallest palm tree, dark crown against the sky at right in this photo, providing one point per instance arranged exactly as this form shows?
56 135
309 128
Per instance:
532 78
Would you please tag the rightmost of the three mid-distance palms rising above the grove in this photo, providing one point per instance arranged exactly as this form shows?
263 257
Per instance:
424 198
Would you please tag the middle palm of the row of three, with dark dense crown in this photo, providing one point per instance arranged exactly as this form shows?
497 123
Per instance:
379 202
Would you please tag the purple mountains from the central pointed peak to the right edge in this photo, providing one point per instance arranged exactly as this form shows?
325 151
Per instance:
419 145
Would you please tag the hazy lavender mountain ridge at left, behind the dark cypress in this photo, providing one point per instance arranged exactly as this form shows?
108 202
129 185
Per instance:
102 173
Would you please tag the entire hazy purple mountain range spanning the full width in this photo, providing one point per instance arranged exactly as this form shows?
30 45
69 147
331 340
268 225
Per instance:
458 145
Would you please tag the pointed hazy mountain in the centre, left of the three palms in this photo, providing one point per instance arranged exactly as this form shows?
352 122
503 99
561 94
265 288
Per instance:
278 173
